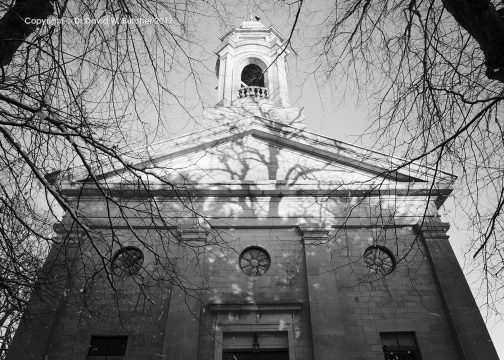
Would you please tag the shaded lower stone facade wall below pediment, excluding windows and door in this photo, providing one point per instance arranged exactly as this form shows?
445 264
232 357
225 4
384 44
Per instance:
318 293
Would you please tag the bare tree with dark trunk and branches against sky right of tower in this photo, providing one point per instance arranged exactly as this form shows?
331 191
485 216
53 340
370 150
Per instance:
433 72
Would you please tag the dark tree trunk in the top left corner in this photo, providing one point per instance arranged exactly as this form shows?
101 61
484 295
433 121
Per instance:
13 28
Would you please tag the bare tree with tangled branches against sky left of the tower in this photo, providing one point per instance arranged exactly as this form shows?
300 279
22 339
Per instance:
82 85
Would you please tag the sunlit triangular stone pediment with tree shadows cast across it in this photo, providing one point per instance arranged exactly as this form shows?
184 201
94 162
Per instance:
260 151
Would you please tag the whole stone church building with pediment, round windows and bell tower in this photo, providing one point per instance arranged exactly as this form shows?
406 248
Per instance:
254 239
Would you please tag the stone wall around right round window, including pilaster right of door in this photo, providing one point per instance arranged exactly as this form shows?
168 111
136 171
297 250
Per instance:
350 306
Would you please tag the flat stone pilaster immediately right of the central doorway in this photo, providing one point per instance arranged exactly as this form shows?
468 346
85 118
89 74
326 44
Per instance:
325 304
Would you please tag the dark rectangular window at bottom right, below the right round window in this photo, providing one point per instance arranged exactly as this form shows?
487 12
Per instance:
400 346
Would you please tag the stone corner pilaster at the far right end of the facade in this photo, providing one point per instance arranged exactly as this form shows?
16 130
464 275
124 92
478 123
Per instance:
469 330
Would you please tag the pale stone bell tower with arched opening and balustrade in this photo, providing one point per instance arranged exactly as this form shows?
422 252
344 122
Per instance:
251 66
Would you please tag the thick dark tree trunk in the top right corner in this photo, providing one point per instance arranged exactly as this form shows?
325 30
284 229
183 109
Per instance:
482 21
